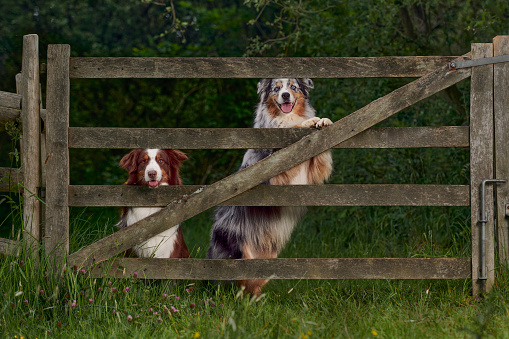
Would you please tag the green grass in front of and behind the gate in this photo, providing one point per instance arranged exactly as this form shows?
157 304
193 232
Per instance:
75 305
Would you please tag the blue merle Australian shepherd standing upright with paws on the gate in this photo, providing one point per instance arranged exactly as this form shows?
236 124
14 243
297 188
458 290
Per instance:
248 232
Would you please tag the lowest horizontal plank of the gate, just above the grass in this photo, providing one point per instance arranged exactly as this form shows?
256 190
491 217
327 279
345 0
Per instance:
295 268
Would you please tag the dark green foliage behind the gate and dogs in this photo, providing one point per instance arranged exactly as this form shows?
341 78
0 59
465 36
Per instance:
255 28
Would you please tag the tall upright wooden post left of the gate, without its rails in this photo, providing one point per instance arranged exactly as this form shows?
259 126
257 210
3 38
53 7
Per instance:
31 148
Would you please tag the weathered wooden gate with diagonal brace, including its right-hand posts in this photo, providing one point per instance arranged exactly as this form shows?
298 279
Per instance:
488 85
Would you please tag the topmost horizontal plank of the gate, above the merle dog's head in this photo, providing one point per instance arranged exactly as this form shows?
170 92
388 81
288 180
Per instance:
134 67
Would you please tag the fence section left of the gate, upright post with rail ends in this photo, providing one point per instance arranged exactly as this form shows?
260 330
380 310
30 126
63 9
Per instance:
26 103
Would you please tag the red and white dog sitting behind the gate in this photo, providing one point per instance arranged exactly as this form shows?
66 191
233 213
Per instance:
154 168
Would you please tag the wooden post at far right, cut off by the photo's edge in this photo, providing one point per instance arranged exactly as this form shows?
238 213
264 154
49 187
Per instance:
501 110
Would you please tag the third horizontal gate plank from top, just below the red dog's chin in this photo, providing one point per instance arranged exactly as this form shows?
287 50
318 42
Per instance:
266 195
